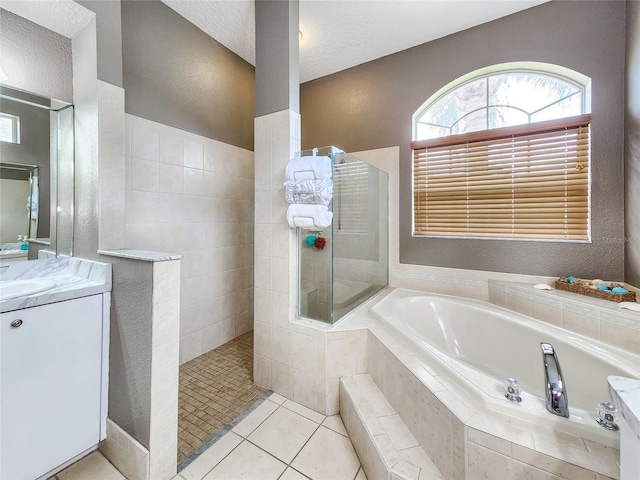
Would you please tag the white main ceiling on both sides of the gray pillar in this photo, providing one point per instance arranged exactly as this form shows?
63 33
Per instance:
338 34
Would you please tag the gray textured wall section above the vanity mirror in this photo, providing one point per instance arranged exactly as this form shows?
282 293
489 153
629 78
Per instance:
34 58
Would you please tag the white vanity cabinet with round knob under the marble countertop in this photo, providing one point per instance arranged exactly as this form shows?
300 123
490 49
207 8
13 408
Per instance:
53 384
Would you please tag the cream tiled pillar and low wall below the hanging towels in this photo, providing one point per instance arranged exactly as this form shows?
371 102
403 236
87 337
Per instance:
296 358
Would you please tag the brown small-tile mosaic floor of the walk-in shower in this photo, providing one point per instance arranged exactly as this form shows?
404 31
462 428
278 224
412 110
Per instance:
214 389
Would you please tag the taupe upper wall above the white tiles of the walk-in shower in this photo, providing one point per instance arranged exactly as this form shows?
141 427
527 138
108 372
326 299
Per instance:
175 74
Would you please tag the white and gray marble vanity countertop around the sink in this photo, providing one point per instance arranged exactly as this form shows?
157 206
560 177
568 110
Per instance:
73 277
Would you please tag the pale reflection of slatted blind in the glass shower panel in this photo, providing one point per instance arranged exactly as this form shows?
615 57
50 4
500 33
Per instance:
351 192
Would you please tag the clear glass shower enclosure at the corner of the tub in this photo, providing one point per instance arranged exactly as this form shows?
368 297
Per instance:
345 264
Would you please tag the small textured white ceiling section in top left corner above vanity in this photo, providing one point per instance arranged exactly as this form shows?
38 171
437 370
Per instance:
64 17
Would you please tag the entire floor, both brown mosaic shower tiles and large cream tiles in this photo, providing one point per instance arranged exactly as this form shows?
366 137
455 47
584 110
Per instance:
278 440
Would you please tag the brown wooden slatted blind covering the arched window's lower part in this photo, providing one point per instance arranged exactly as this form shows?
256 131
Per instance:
529 181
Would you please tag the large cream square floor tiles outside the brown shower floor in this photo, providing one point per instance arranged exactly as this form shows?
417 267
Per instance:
279 440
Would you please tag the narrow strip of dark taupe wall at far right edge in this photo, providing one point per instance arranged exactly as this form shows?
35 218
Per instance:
632 144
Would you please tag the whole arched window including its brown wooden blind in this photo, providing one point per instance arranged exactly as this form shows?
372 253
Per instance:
504 154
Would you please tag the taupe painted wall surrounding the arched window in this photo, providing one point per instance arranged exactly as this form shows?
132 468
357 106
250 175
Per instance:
370 106
